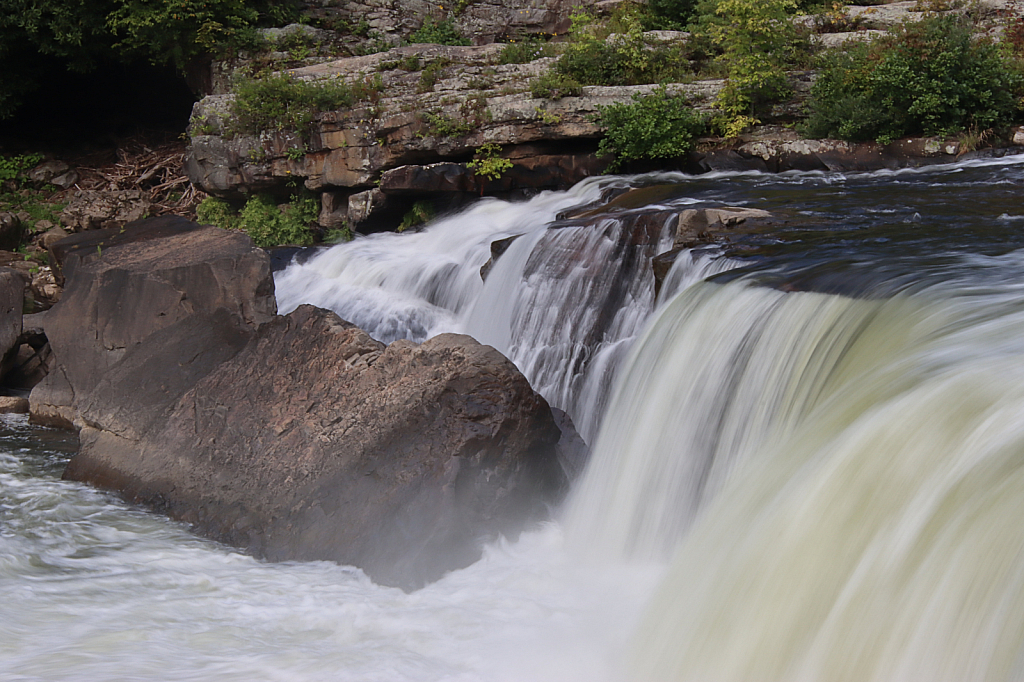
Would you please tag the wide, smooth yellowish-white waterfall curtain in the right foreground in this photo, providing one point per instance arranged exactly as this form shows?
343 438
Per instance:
840 483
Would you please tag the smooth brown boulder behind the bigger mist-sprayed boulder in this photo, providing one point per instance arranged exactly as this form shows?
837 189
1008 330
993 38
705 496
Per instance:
130 284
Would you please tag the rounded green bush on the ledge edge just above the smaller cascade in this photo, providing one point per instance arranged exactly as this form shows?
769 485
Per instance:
653 126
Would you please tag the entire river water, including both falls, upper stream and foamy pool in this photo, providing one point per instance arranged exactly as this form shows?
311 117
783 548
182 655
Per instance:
808 467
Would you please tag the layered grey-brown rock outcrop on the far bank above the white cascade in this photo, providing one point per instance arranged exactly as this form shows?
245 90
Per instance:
401 145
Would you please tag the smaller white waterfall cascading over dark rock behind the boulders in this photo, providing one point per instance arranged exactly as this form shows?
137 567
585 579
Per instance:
564 303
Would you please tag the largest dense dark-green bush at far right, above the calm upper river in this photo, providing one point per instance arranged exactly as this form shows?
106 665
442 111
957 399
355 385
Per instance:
931 78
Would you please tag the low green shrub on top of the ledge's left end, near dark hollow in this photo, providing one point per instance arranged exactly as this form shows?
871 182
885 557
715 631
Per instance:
282 102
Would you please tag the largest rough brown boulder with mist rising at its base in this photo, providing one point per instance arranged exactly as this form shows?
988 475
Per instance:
316 442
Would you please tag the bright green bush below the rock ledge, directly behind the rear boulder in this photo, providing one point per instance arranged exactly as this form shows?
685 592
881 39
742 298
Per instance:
265 222
